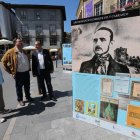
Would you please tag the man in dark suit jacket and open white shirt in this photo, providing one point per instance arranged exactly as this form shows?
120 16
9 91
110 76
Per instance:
42 66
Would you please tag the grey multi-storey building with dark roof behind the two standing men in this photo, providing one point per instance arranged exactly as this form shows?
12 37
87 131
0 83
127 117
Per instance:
40 22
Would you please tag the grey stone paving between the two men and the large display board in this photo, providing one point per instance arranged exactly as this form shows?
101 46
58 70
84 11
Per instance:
50 120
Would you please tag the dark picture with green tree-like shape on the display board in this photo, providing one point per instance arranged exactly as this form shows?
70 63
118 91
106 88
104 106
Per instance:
109 109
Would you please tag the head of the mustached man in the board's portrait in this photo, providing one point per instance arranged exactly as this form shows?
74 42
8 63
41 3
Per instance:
101 40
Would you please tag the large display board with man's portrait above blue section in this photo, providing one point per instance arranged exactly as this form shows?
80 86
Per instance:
106 71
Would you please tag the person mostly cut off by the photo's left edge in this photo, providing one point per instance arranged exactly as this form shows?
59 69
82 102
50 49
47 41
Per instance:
2 105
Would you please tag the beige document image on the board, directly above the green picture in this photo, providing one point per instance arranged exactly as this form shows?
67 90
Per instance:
106 87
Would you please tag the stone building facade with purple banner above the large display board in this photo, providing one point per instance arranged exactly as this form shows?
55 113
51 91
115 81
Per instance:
89 8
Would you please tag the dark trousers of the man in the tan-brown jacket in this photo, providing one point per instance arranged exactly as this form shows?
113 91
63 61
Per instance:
22 79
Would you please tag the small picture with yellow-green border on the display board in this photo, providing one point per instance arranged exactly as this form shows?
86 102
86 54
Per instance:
92 109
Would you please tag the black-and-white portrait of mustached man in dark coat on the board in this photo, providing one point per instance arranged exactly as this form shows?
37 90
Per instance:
102 62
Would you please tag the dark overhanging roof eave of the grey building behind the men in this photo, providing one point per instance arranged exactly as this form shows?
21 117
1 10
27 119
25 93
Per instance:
62 8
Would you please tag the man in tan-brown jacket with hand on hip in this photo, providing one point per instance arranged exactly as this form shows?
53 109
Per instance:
16 62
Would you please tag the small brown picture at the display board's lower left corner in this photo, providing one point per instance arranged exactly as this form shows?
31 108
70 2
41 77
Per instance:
79 106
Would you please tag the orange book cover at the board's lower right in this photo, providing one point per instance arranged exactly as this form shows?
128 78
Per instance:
133 116
